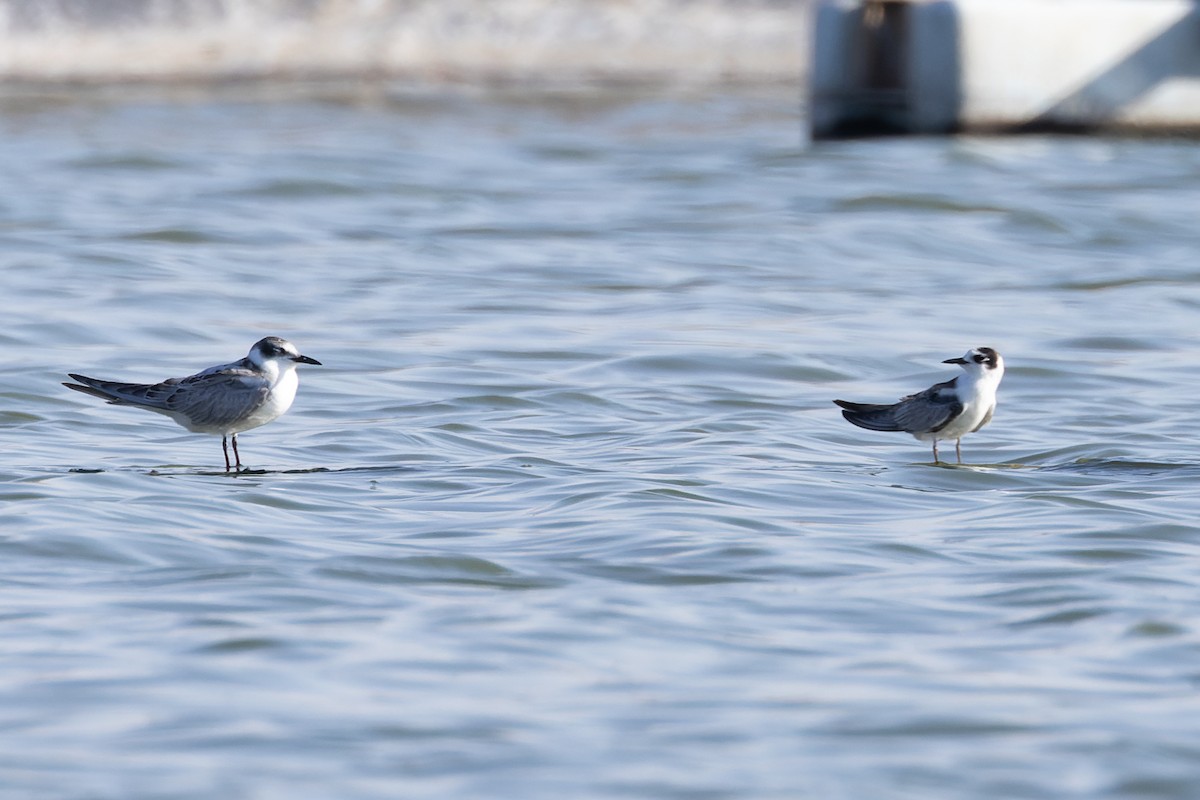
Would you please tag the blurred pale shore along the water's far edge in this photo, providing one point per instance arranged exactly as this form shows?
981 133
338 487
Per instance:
538 41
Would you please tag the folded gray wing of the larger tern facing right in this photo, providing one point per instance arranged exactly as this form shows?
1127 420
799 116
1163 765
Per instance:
215 399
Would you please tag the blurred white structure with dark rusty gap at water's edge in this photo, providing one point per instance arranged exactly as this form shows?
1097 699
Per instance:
938 67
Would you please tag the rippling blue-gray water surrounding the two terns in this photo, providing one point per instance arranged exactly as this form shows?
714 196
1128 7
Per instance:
568 512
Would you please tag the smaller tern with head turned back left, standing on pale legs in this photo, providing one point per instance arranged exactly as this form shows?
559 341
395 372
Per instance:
947 411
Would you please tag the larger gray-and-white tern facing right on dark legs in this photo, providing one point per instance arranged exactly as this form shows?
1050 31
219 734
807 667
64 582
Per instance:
227 399
